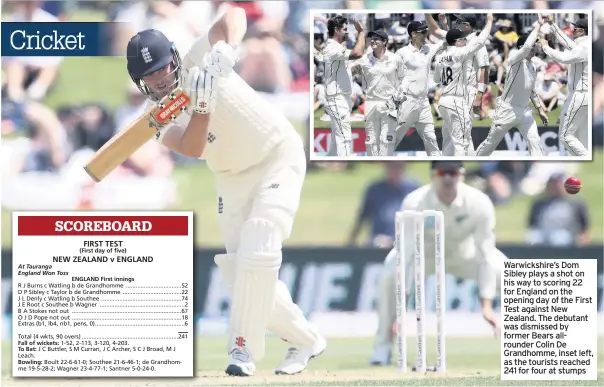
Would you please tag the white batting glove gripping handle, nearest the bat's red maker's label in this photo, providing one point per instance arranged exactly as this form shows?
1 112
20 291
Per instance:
201 87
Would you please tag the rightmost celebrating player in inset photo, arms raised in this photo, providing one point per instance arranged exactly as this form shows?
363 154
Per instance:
573 130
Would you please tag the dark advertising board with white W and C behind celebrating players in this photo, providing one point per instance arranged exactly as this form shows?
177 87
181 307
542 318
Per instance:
513 140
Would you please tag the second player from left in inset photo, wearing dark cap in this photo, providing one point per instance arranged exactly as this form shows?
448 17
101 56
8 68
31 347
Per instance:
380 72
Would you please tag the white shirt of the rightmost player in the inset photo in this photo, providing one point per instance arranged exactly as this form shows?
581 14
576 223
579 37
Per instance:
576 56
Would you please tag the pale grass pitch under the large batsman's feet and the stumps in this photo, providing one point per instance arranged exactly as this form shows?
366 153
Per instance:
470 362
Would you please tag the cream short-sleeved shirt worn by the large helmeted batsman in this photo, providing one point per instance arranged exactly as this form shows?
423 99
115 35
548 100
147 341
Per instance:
243 129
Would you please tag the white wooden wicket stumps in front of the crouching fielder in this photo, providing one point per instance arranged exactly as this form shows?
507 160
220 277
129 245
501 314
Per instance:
418 219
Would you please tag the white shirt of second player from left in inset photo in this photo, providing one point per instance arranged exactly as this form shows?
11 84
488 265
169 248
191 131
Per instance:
380 77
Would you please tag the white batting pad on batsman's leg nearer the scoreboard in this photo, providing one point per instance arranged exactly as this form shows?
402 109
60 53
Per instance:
253 299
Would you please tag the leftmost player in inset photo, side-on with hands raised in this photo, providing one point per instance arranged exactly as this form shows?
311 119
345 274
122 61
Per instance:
338 82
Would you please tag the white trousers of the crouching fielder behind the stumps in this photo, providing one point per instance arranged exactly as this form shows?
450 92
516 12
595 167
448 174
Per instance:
486 275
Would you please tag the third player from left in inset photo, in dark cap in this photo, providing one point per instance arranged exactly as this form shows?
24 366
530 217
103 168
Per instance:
414 109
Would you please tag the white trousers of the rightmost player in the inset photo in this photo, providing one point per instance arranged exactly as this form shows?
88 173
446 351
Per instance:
573 130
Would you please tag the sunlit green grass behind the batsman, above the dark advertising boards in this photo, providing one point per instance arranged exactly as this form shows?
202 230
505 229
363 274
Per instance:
320 222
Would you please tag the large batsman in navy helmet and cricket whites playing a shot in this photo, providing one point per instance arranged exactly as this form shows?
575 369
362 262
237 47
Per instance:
259 164
